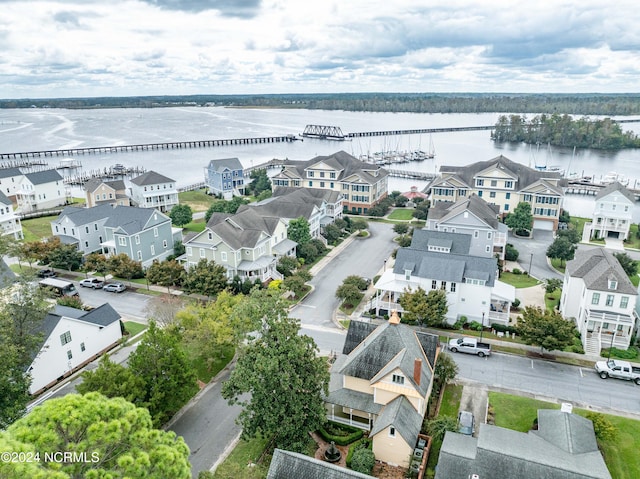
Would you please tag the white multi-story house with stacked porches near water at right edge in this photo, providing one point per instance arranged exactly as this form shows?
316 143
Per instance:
612 215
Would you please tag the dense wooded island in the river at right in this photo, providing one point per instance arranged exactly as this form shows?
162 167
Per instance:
563 130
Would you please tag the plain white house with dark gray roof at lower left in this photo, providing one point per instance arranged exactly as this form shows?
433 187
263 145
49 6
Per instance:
72 338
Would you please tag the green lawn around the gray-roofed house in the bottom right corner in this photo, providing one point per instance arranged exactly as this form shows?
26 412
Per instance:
620 453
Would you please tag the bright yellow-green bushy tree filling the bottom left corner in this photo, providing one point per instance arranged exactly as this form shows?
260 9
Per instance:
117 437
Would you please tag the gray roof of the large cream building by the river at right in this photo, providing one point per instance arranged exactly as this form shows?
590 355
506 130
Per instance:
525 175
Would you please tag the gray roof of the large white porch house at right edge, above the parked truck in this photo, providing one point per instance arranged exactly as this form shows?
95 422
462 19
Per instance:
596 267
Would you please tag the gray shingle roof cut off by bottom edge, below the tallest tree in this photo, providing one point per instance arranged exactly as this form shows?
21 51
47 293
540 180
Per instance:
291 465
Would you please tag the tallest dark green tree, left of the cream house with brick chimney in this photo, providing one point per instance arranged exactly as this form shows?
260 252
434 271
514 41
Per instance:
286 381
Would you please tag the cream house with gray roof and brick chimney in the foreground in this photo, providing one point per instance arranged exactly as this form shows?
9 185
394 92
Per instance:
381 383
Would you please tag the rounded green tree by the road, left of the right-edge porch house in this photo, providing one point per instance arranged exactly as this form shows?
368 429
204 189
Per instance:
544 328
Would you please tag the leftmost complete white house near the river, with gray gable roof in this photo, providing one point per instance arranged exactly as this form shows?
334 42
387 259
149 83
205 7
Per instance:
40 190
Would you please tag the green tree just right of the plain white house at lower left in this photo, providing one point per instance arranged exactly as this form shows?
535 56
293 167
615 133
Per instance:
161 362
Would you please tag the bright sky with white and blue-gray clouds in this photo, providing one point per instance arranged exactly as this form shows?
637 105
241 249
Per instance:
67 48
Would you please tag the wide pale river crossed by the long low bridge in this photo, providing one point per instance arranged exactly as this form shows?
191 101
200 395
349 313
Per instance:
50 129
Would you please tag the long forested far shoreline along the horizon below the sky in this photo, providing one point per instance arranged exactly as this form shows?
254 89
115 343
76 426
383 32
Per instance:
571 104
